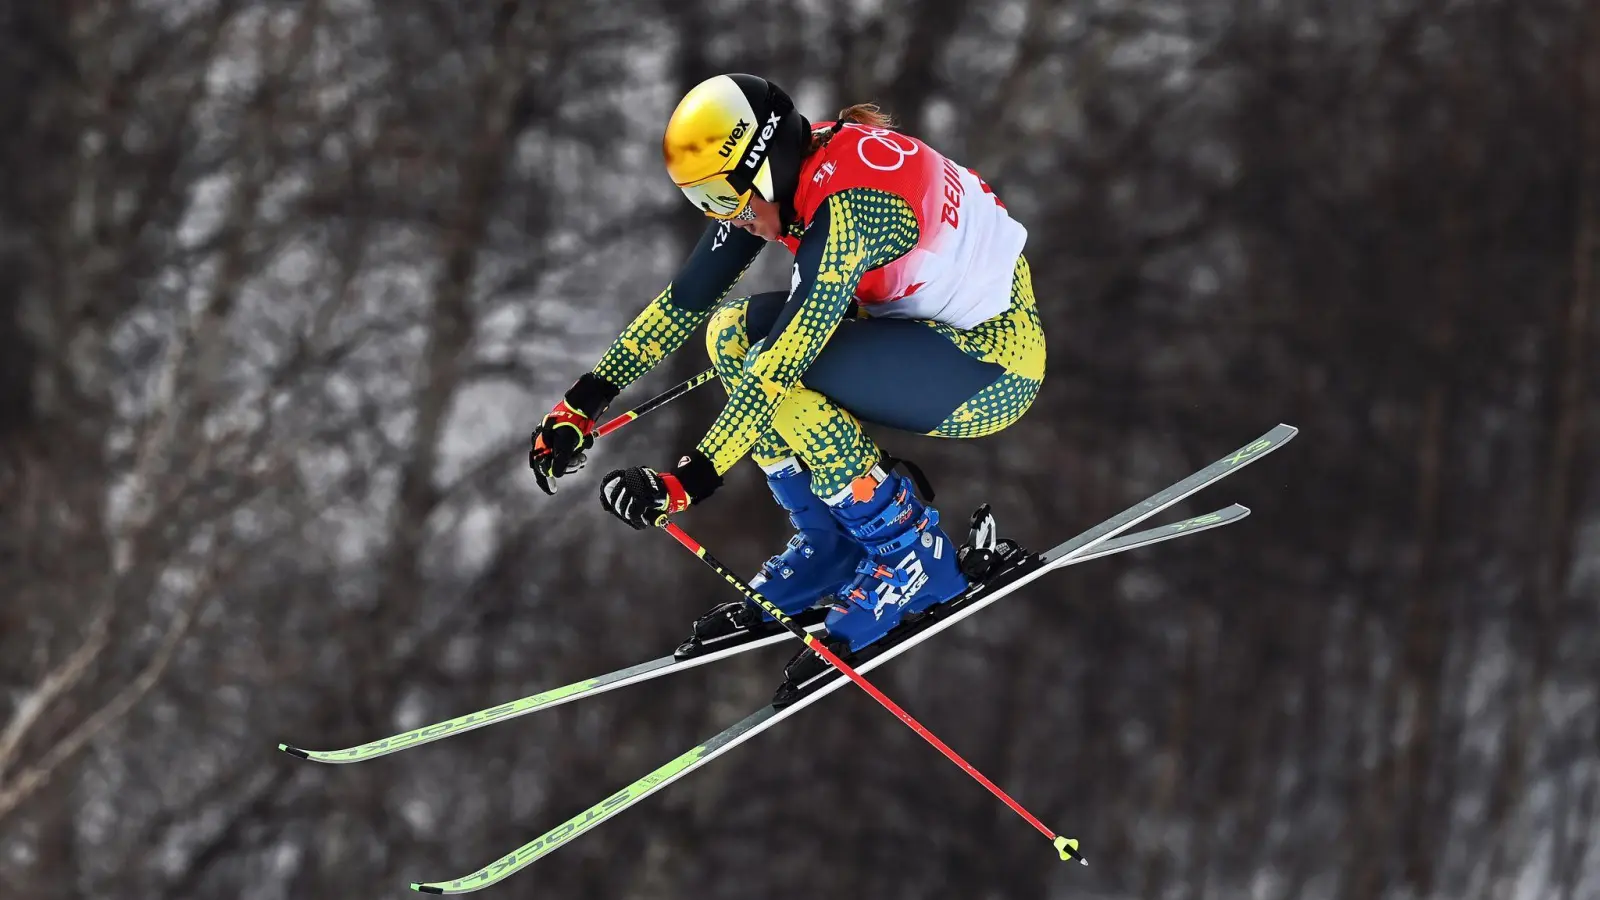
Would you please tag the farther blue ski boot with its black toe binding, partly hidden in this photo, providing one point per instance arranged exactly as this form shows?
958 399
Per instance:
820 561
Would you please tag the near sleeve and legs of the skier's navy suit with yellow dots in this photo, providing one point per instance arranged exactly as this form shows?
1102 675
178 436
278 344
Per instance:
802 371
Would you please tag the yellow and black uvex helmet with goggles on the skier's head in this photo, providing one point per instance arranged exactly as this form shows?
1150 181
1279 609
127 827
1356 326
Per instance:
734 135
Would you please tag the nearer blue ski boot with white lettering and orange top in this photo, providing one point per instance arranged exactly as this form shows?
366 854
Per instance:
911 563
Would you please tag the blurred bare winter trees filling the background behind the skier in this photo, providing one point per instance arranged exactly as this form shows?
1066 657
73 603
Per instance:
287 284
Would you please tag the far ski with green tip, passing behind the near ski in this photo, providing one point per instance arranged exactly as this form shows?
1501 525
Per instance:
657 669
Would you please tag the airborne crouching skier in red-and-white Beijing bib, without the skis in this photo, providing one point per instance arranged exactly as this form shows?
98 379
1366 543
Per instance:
910 307
